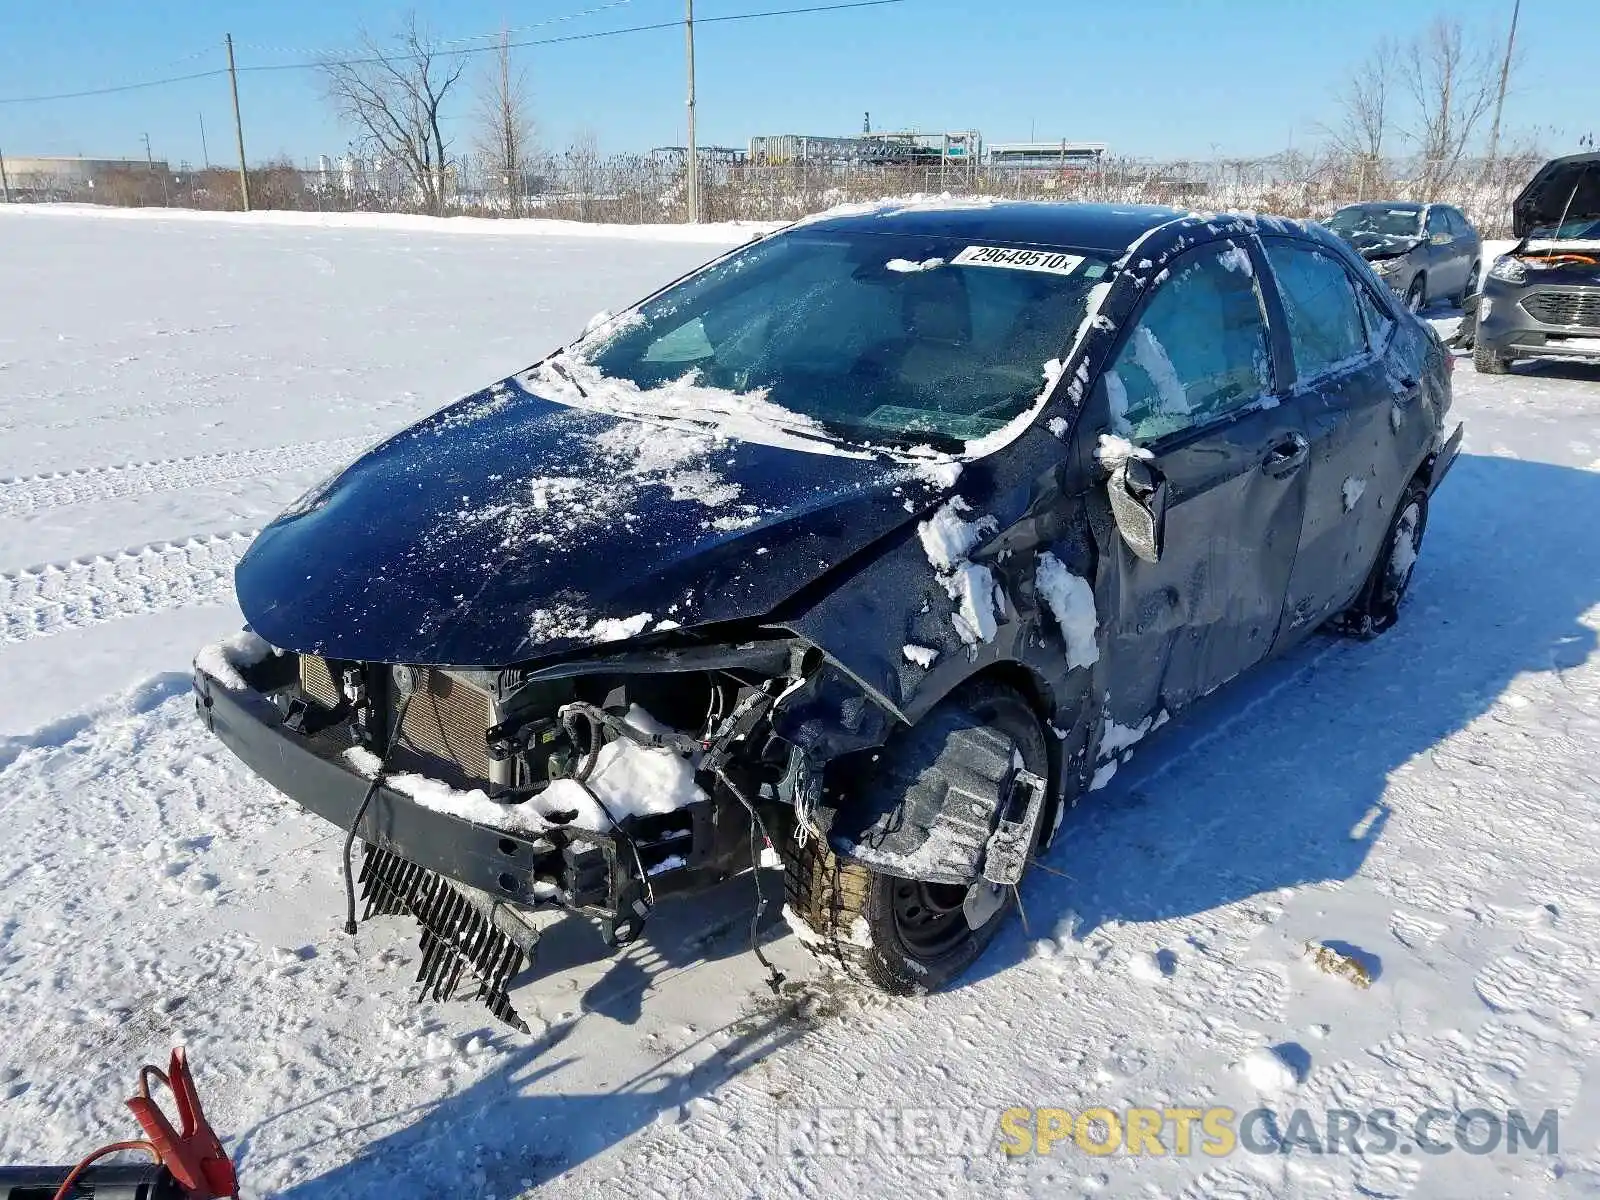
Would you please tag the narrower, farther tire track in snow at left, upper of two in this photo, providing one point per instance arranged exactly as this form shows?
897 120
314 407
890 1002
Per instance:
82 486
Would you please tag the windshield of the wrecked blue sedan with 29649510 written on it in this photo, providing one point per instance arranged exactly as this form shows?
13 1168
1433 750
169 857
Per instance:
881 338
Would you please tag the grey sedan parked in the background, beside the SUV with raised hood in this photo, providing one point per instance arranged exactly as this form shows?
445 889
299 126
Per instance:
1423 252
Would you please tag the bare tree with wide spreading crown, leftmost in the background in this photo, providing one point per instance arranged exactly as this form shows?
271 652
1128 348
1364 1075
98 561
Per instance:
393 95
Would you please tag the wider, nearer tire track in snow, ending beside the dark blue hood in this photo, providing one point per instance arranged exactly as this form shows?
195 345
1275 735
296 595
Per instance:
154 578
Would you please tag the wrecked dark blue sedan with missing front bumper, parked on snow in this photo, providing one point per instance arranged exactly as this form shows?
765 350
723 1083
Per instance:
874 545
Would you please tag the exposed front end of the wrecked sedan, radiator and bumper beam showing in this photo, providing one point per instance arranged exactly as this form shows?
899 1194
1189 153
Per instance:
591 786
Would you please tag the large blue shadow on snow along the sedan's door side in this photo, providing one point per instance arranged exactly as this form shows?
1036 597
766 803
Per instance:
1279 778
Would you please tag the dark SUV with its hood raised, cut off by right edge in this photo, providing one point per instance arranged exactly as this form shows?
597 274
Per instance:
1543 298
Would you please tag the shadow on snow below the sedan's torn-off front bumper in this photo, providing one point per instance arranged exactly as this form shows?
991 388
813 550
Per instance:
518 1124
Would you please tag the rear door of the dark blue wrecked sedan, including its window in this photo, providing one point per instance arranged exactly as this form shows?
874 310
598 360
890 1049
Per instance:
1353 394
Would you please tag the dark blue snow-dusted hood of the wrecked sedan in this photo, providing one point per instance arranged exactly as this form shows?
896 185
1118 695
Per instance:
508 529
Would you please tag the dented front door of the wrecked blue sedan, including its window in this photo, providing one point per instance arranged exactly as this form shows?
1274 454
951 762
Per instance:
1194 386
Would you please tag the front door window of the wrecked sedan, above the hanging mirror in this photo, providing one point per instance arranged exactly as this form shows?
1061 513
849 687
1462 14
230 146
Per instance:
1199 351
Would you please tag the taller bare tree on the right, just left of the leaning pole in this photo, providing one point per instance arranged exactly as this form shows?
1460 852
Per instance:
1454 86
